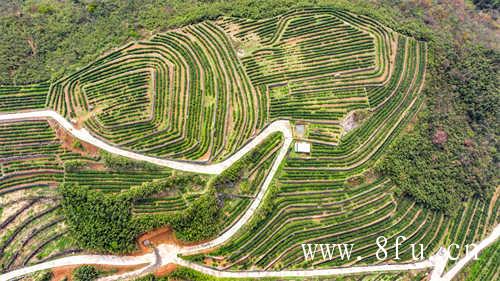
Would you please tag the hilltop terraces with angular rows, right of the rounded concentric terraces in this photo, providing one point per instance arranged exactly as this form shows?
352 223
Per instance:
318 65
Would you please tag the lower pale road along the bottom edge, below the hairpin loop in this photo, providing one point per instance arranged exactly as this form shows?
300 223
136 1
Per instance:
168 254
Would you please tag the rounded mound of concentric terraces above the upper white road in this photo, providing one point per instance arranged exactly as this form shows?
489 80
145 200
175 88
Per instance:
181 94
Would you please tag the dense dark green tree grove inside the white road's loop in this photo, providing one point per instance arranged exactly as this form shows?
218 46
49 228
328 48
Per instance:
104 222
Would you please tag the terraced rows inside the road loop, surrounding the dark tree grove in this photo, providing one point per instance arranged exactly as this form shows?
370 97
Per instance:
37 155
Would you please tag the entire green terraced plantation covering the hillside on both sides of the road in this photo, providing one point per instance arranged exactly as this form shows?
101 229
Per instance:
348 84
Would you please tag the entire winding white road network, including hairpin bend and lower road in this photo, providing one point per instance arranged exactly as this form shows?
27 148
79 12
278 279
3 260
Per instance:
169 253
